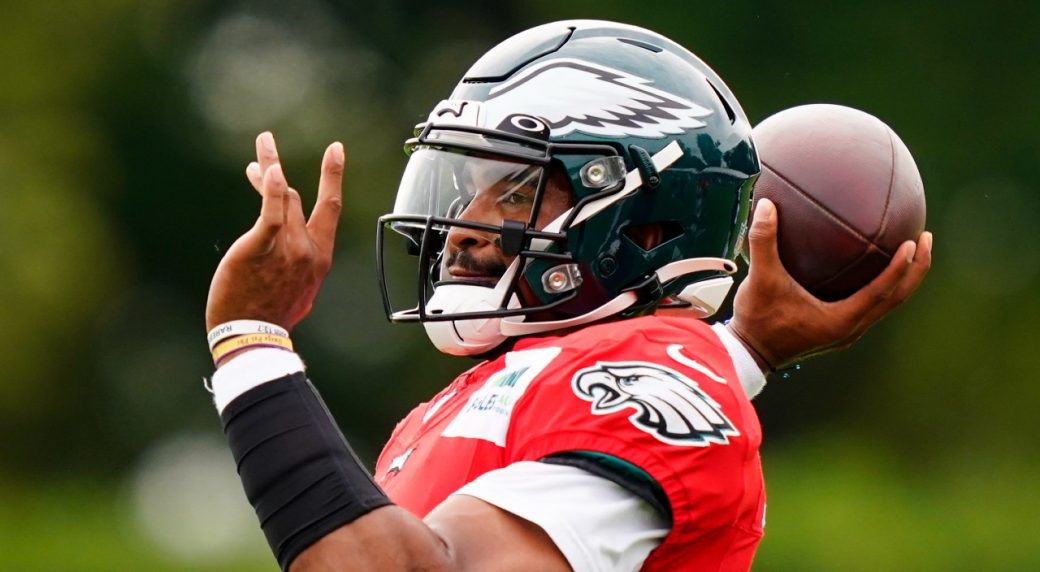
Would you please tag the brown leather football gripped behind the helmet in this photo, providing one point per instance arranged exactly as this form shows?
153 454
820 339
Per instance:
847 191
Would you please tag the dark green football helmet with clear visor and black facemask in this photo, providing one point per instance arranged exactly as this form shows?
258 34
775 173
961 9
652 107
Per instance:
641 135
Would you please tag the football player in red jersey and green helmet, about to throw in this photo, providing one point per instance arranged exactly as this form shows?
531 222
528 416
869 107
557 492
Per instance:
581 175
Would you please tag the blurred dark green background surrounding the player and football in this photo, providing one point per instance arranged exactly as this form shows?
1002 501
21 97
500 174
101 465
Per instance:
124 132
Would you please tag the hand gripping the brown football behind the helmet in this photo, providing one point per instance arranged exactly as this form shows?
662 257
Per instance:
783 323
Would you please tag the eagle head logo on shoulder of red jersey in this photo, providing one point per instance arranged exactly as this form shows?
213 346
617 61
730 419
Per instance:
668 405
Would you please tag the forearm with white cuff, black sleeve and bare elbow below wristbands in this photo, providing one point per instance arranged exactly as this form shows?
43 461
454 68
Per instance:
318 507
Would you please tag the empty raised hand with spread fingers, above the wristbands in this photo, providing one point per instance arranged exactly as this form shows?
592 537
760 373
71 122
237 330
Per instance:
273 272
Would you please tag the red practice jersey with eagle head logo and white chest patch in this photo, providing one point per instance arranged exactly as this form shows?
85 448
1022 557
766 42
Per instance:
658 393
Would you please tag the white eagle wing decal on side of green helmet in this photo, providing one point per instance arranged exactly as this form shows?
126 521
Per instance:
595 100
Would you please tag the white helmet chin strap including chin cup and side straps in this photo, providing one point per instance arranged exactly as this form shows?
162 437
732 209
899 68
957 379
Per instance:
470 337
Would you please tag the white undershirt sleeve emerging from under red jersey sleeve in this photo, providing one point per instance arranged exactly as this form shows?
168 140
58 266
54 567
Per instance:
594 523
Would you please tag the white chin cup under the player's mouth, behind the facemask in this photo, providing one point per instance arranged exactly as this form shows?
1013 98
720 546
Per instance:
466 337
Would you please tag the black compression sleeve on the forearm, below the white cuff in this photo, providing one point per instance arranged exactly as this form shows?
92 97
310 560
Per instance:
298 471
